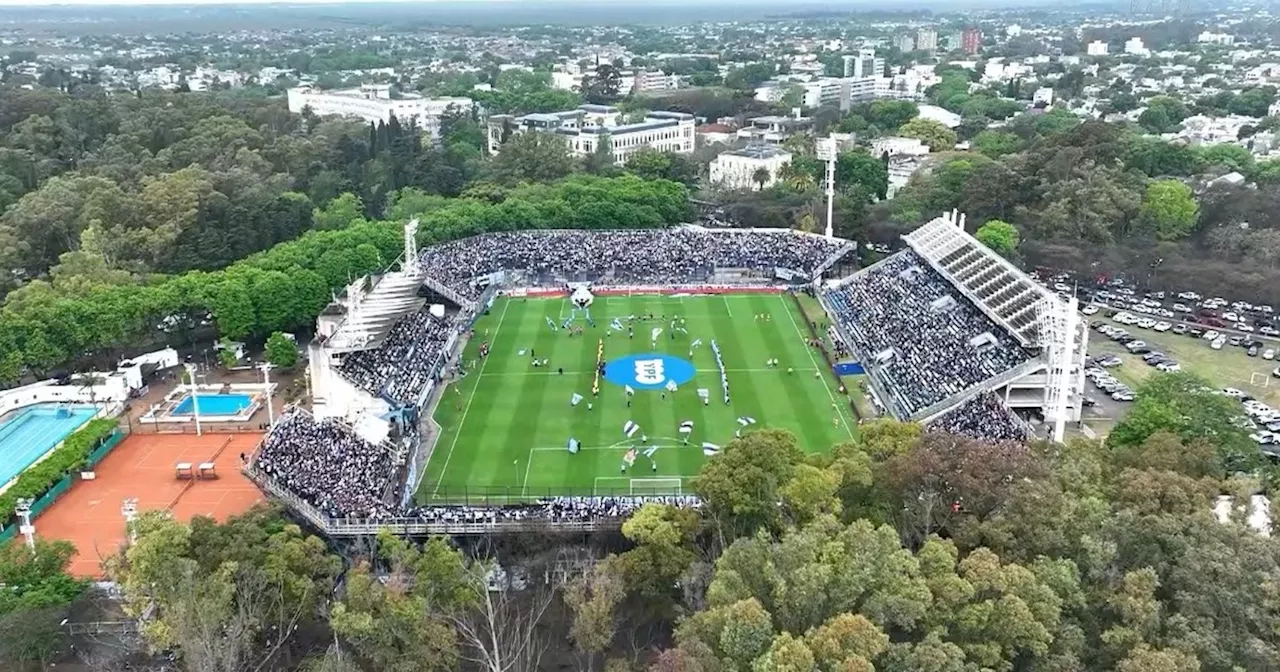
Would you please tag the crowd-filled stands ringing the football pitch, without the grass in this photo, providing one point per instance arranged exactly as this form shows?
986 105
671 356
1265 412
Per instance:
935 351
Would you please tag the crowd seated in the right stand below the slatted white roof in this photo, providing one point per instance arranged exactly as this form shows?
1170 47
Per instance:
920 336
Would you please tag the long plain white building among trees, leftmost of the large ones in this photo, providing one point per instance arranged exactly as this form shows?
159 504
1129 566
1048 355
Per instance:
374 103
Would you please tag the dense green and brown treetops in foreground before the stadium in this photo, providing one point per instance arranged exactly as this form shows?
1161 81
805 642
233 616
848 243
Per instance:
903 551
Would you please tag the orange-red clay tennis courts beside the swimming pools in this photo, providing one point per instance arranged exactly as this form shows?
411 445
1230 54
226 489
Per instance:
143 467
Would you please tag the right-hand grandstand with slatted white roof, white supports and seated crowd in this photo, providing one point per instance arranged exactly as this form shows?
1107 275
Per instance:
948 319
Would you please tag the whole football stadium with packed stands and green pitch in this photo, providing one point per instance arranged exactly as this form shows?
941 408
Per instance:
570 376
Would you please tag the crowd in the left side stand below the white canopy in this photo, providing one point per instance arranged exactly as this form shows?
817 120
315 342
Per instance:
400 368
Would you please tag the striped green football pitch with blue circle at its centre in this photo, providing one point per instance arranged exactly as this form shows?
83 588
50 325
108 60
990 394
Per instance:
505 427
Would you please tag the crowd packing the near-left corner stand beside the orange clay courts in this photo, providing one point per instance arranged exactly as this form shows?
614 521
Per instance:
326 464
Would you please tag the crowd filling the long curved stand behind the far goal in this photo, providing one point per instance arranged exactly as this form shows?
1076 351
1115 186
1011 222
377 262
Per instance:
648 257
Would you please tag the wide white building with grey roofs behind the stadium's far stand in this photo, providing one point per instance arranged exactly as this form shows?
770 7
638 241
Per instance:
587 127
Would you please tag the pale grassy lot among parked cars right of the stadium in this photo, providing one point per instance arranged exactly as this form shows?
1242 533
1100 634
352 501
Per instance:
1228 368
